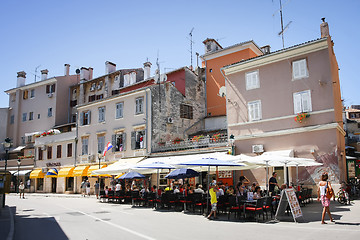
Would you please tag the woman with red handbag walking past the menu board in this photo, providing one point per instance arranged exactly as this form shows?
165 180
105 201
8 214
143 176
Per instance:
324 194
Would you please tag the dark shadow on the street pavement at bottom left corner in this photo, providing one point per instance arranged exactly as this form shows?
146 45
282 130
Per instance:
37 228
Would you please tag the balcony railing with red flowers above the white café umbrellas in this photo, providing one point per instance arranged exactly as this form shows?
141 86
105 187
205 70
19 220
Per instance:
191 143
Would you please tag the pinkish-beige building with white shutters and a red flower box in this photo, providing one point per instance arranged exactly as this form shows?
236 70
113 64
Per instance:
289 100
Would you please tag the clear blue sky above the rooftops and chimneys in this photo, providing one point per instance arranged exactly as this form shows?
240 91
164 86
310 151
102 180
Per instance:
86 33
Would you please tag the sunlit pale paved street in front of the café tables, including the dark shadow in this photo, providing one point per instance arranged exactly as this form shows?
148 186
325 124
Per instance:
50 216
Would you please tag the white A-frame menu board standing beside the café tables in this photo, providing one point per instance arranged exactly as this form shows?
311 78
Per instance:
288 198
